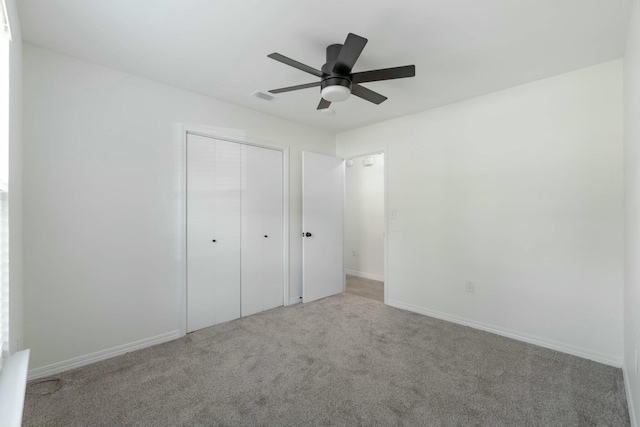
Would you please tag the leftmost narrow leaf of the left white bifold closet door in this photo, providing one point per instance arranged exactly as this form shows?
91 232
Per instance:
201 207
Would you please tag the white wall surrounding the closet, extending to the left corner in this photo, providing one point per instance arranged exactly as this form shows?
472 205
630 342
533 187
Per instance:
101 201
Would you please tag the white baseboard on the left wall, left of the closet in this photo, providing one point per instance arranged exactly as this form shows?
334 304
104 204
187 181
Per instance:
87 359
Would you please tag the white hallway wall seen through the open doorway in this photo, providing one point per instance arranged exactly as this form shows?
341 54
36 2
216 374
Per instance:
364 219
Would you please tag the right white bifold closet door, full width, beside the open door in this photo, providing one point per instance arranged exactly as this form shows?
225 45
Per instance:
262 230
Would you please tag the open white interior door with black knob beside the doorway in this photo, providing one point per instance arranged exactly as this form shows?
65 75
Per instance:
322 225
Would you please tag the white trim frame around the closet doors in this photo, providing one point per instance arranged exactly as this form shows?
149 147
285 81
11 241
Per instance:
181 131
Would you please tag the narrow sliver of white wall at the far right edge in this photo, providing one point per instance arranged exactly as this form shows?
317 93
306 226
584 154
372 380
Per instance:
632 211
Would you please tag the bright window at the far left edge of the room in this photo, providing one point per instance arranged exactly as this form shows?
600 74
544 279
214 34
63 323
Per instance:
5 39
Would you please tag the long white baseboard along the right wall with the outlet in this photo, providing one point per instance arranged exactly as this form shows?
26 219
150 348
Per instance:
531 339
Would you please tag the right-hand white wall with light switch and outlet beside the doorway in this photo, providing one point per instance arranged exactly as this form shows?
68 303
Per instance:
519 191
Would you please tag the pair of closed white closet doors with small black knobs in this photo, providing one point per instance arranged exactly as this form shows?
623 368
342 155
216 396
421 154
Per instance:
235 198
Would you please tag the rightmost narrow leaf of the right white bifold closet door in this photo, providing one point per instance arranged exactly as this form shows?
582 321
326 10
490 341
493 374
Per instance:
272 222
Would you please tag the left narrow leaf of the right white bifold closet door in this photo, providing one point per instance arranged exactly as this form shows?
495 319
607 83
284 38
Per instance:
252 230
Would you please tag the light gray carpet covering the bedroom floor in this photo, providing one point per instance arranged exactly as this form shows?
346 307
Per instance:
341 361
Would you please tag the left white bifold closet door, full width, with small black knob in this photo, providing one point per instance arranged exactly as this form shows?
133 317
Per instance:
213 231
